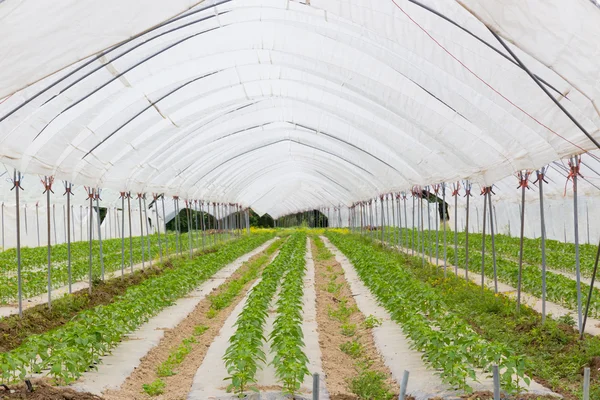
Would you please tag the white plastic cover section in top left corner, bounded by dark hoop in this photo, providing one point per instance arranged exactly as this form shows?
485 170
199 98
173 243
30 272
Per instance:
67 31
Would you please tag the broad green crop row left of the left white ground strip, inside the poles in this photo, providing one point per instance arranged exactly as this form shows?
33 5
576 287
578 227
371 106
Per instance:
79 345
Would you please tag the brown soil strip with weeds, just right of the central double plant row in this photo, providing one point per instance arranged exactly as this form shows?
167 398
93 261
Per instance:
338 366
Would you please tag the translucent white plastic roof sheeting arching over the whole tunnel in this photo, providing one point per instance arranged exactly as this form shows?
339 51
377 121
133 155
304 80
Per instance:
284 106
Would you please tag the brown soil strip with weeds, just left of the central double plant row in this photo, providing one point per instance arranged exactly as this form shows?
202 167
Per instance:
179 385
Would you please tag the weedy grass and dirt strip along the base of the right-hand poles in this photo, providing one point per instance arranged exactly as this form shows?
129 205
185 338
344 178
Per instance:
553 352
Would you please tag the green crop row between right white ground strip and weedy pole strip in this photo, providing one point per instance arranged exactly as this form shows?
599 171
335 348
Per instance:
449 343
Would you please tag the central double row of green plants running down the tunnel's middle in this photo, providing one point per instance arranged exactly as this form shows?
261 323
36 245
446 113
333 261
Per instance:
245 354
